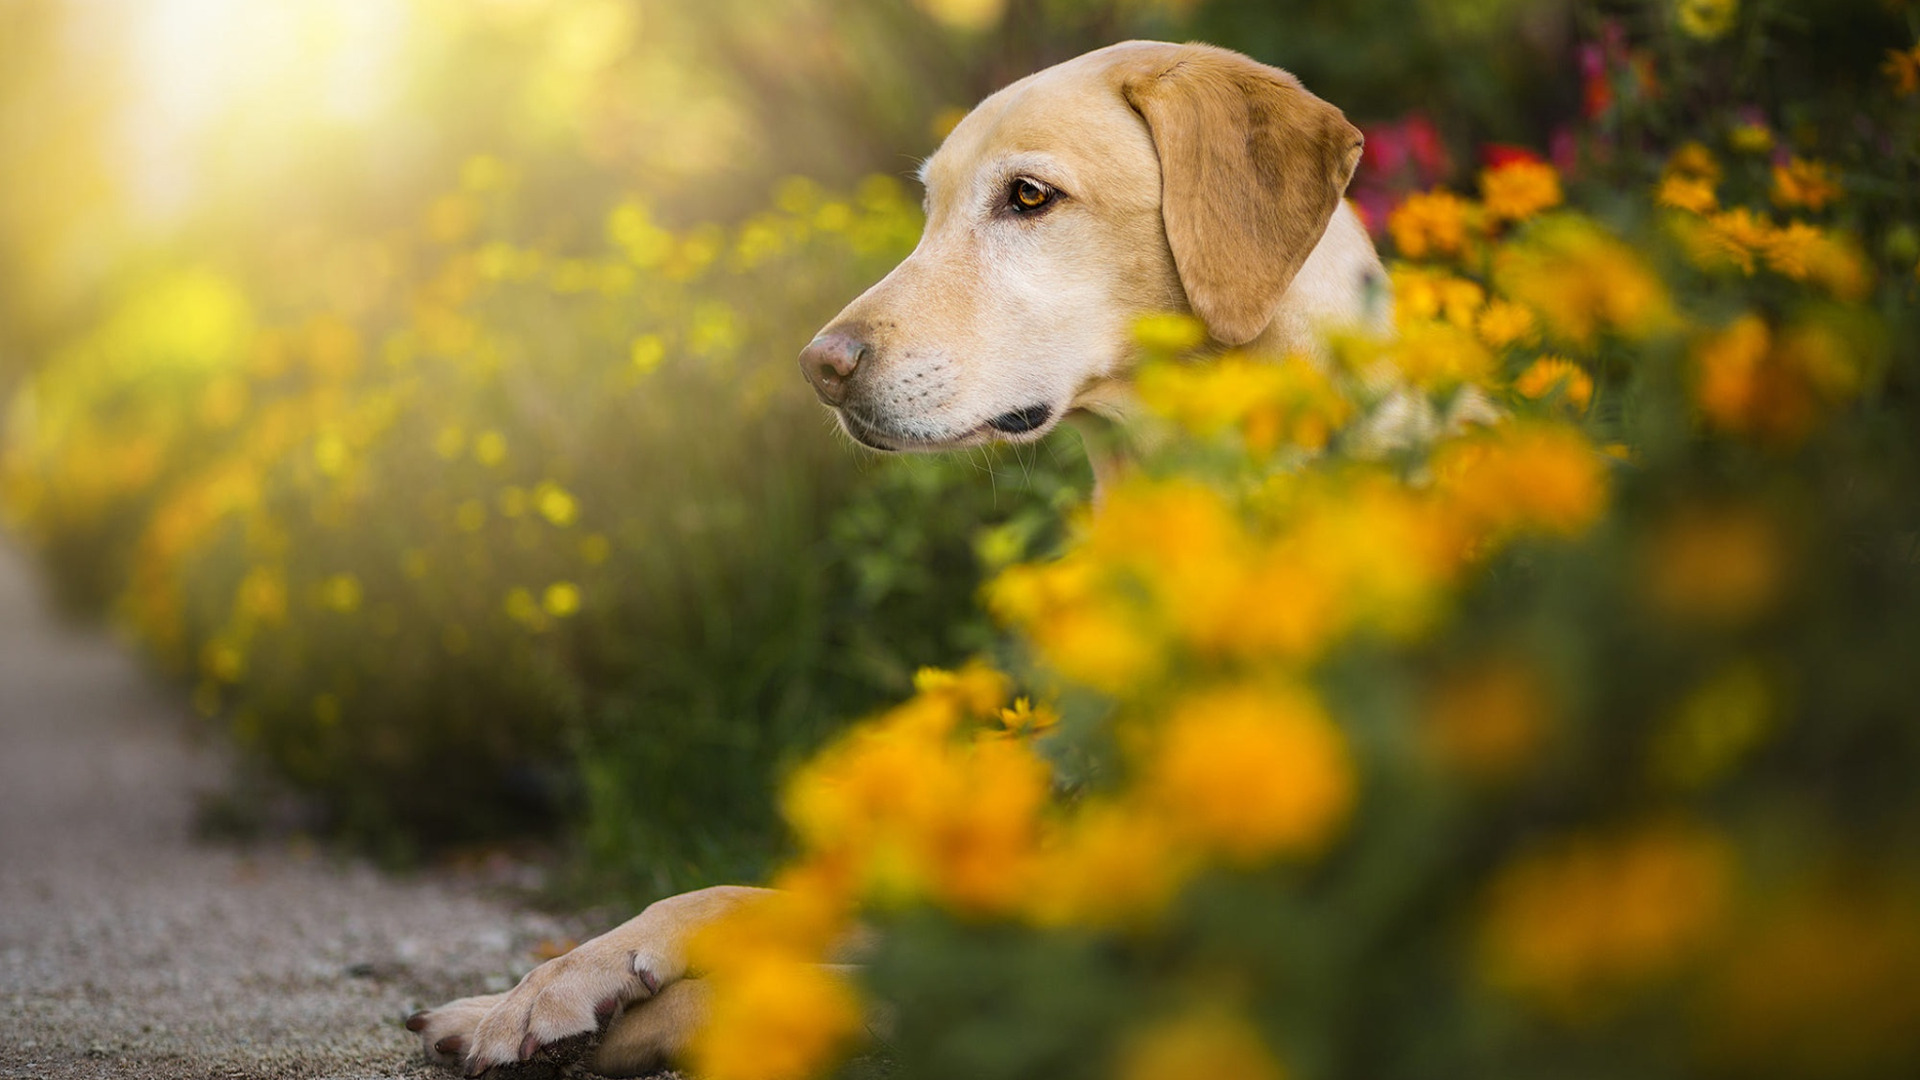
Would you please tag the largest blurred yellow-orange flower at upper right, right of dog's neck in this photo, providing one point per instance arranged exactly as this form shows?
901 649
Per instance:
1583 282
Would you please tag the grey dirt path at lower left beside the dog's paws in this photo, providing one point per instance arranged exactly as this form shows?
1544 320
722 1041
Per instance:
130 950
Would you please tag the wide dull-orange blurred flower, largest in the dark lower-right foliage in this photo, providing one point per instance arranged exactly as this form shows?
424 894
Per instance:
1573 927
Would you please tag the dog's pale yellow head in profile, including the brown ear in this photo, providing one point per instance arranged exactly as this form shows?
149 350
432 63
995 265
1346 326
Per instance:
1141 178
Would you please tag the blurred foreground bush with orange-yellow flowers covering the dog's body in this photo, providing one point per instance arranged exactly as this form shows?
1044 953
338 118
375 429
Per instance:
1514 697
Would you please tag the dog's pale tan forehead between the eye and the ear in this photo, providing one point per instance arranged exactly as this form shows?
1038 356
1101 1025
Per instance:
1070 114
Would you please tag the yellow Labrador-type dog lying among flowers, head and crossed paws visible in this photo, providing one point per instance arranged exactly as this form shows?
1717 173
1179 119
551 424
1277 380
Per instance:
1136 180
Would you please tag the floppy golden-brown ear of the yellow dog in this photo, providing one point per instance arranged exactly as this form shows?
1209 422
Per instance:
1251 172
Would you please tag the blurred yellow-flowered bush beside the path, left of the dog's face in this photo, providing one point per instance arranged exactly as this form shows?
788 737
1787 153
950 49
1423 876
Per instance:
514 528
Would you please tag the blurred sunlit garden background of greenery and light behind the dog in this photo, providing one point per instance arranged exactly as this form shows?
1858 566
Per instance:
414 380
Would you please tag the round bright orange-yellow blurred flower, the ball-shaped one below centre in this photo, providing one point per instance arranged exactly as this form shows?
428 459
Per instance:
1253 773
